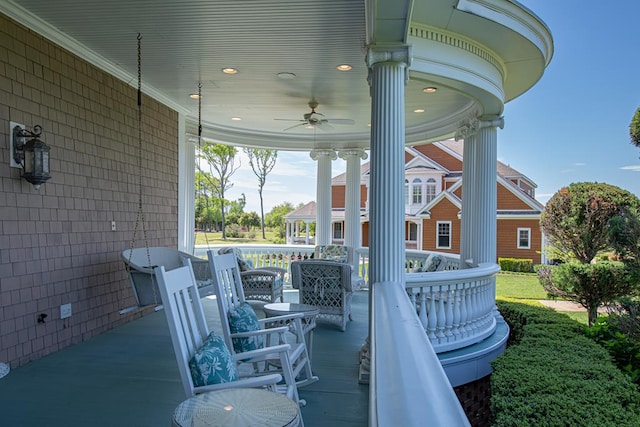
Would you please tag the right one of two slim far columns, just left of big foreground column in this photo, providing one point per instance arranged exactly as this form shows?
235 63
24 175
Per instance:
352 232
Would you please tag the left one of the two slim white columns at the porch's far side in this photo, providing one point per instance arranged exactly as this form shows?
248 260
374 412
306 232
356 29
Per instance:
323 195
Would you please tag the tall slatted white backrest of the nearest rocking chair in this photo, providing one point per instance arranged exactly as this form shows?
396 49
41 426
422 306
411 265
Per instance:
183 309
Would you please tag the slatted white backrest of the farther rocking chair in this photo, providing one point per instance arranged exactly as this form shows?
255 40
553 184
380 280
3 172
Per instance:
228 288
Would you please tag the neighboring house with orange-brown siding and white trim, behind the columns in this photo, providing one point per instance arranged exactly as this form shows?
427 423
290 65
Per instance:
433 204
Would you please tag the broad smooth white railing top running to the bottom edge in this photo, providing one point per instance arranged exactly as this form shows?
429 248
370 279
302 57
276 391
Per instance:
408 385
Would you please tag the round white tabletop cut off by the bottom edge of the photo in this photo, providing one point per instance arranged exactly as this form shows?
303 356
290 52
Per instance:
237 407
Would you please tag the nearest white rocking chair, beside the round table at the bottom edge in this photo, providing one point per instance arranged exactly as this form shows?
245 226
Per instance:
189 331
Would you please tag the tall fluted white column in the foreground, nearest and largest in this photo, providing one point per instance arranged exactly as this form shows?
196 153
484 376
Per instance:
387 74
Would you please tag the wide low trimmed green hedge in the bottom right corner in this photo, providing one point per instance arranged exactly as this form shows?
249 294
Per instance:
553 375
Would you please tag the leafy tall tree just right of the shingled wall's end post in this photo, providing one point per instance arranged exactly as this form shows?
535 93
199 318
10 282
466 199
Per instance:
221 159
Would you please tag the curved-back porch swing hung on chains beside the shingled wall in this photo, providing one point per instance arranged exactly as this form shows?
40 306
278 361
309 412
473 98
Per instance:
140 264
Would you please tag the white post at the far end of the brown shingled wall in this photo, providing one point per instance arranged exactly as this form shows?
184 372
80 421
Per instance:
186 188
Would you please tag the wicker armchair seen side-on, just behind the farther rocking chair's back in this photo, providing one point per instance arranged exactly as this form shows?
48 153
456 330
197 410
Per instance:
259 284
